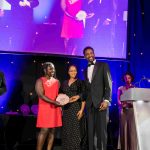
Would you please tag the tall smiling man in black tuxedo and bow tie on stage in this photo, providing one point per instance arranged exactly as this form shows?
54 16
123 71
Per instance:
98 96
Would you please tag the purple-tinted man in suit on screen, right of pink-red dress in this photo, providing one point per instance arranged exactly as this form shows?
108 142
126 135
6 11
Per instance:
99 25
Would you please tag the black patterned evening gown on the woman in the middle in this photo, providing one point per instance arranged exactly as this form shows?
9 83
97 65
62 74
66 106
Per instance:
74 131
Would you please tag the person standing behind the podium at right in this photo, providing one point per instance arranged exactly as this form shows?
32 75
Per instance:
127 137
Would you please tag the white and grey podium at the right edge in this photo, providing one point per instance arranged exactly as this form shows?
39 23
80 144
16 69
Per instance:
141 106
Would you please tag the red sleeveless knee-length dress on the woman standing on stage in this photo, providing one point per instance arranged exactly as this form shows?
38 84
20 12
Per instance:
49 116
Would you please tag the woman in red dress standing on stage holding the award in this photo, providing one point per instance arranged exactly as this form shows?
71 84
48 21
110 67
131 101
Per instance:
49 113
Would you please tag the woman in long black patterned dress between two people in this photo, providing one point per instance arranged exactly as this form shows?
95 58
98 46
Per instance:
74 134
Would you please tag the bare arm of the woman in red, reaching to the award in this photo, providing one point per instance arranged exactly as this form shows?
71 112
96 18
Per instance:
40 92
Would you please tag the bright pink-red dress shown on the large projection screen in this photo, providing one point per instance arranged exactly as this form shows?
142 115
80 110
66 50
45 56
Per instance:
72 28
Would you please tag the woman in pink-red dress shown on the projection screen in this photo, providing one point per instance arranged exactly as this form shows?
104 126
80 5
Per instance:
71 28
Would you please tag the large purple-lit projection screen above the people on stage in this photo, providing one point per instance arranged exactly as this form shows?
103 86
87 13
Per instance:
42 28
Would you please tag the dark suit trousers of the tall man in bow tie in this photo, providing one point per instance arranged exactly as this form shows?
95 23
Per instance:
97 126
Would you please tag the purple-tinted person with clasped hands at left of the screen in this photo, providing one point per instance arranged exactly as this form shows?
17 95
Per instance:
22 27
